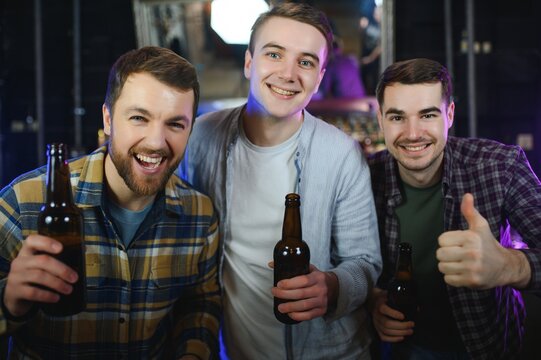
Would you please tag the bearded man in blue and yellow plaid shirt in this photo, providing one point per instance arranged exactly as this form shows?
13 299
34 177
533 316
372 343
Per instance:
151 240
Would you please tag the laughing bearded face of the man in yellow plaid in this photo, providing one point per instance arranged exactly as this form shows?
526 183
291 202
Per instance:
148 135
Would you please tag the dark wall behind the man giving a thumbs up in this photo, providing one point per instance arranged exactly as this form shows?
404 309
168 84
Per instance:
508 76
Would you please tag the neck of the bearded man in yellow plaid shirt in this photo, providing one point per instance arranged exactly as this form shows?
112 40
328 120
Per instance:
120 193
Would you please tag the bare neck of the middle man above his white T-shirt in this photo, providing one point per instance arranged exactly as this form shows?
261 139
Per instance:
266 130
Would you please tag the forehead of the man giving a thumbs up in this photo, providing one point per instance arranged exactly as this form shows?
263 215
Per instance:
412 97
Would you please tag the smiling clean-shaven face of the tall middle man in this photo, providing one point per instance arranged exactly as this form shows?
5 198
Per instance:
285 68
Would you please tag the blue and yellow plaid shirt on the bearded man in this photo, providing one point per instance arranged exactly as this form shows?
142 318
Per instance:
159 298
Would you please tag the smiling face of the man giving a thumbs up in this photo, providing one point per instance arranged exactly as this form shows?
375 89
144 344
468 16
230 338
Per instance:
415 123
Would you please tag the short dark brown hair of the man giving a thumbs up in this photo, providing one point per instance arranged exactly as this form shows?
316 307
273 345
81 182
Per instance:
416 71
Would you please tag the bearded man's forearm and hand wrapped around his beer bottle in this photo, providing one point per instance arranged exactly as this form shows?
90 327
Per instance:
25 264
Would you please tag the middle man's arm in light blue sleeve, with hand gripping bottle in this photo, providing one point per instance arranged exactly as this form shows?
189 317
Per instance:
354 247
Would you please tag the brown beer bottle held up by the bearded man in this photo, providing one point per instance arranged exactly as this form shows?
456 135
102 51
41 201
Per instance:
60 219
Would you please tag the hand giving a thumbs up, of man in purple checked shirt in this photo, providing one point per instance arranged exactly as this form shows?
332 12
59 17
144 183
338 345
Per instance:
474 258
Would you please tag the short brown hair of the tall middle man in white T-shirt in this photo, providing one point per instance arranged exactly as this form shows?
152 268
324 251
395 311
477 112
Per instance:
300 12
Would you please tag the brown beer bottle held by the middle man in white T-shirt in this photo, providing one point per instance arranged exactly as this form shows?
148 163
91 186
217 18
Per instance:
291 253
